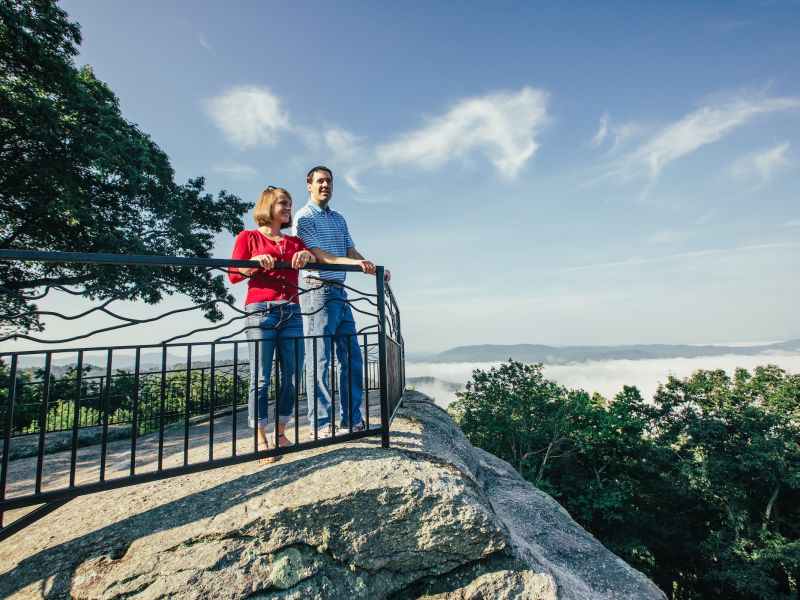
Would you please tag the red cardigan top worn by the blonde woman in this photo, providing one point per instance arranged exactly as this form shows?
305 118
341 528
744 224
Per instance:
250 243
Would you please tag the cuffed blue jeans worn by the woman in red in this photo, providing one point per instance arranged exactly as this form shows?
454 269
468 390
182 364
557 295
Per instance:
271 325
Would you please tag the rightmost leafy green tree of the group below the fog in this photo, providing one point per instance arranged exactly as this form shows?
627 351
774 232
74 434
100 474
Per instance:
737 445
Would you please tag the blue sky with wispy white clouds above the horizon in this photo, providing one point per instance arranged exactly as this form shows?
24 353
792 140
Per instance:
558 173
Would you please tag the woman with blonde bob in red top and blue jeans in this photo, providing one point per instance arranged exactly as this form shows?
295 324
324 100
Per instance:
273 311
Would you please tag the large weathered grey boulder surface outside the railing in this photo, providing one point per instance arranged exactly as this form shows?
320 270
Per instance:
431 517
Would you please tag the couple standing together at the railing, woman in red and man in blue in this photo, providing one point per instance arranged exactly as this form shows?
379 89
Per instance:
273 308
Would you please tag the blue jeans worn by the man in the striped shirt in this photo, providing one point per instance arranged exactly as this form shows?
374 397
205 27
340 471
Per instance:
329 315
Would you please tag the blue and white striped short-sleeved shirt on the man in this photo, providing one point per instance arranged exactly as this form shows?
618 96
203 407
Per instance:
324 229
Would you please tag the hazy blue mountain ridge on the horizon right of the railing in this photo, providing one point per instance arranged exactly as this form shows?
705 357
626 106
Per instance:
554 355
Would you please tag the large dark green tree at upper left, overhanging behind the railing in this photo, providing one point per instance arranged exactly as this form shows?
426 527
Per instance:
75 175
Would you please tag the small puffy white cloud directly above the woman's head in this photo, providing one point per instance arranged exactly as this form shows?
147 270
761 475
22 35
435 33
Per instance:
248 116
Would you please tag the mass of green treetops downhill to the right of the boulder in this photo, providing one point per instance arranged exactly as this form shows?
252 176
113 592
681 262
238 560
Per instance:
699 488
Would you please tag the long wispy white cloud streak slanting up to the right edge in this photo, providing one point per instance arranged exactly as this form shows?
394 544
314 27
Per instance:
700 128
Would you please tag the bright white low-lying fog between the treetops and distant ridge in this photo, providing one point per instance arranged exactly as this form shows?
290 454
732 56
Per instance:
605 376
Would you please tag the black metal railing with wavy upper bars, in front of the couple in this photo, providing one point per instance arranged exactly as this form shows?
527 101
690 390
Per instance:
84 419
